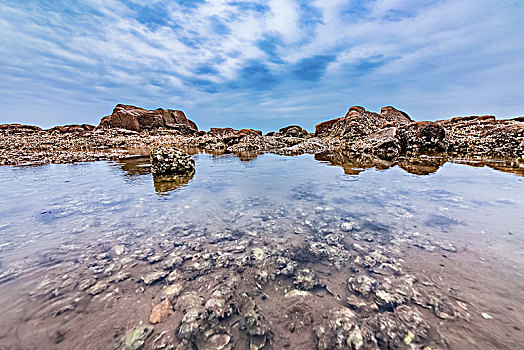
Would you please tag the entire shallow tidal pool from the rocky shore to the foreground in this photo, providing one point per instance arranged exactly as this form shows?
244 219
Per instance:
459 228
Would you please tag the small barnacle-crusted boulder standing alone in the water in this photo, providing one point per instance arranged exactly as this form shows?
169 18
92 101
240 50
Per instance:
170 161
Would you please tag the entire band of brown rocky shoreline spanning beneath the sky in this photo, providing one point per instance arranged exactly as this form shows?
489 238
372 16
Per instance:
387 135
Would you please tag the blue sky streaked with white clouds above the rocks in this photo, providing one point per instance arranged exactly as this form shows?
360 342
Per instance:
259 64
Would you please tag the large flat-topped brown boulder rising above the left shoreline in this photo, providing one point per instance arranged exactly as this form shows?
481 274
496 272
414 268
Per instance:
139 119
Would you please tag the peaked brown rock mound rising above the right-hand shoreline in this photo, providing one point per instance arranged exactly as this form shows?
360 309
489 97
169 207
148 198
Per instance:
358 123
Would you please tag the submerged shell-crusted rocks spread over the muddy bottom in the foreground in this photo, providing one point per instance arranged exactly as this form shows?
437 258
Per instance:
331 283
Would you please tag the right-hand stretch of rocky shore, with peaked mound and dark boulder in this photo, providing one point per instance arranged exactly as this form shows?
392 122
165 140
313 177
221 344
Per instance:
392 133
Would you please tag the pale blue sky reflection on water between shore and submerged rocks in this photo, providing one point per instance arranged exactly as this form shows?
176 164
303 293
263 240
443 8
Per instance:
41 207
